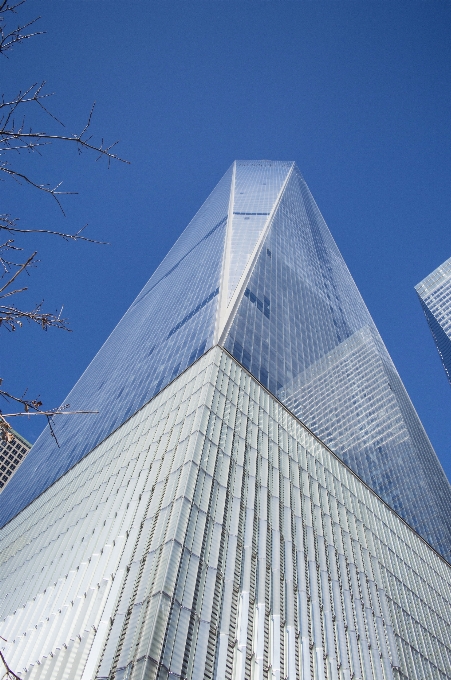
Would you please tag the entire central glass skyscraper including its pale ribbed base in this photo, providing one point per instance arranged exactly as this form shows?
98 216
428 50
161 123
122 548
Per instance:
237 507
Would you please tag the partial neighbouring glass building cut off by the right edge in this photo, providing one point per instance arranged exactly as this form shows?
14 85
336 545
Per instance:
435 297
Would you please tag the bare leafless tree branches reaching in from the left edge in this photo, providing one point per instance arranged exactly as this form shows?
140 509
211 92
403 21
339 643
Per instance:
16 137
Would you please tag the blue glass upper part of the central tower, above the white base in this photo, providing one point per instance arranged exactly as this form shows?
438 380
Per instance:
258 272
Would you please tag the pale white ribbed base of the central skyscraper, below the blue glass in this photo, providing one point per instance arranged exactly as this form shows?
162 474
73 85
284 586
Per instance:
213 536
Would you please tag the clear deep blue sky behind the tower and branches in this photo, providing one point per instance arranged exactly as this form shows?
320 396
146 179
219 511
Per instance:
357 93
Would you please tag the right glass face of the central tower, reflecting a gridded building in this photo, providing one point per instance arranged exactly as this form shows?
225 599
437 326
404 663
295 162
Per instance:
303 330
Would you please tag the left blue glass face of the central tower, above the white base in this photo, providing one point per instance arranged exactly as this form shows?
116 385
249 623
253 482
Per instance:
169 325
